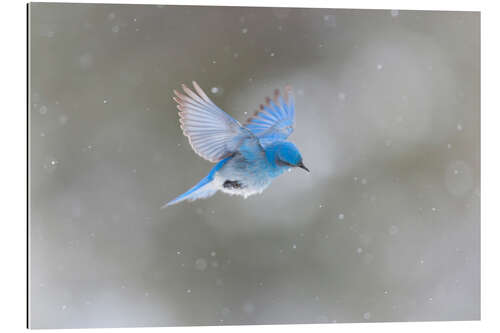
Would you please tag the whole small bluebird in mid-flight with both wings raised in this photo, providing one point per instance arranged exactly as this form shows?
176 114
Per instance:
248 156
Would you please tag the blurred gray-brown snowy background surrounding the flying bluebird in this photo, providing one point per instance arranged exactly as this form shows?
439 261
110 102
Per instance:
384 228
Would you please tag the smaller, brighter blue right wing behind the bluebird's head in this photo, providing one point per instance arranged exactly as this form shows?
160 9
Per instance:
275 120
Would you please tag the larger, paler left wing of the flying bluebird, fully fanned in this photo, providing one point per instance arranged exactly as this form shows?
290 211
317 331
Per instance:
212 133
